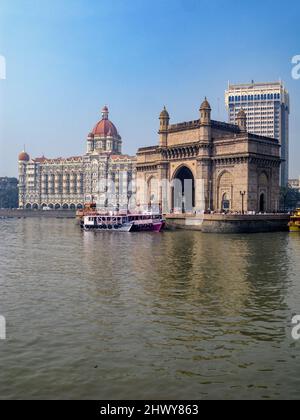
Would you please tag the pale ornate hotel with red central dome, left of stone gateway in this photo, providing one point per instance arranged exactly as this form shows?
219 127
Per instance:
103 174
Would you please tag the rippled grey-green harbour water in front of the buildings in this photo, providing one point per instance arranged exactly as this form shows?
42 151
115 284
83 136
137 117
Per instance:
178 315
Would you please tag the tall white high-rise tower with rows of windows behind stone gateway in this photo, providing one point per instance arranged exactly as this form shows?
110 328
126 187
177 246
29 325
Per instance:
267 107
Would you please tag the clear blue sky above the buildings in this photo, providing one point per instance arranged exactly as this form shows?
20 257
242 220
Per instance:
67 58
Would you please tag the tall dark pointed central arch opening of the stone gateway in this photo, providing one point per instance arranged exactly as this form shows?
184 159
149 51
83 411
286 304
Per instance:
183 191
